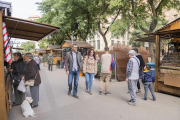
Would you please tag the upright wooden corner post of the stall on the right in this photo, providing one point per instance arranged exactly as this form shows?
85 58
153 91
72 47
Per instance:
157 62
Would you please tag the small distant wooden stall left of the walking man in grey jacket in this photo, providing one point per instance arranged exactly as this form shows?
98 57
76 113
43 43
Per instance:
55 51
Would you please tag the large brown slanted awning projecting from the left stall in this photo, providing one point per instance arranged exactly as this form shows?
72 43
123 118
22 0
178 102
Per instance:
29 30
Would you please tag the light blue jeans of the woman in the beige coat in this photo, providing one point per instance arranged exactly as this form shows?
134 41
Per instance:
89 80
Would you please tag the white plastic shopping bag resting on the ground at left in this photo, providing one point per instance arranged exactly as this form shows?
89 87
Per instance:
26 109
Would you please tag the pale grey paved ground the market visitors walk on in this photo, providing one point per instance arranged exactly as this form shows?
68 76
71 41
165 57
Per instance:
55 104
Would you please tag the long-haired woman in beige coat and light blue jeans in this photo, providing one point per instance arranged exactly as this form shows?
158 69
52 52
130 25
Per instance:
90 69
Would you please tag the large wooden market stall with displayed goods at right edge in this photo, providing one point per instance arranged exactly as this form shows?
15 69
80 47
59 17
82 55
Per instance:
167 69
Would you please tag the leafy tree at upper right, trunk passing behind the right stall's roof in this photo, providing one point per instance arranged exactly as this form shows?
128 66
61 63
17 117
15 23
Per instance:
136 12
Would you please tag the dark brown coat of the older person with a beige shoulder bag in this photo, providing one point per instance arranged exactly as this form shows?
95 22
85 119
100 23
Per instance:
31 71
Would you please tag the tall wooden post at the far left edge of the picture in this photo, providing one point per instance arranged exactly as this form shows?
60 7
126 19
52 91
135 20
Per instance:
3 111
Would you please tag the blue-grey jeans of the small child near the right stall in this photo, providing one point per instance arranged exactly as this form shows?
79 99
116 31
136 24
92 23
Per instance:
151 88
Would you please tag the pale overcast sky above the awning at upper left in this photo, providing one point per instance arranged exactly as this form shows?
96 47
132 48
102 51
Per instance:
24 8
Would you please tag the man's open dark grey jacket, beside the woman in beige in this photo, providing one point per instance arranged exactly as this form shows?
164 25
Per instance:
69 61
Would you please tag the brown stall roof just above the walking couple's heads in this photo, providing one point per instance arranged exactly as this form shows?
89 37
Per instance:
83 44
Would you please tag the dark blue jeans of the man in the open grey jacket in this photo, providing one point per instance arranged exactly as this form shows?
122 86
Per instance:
75 75
